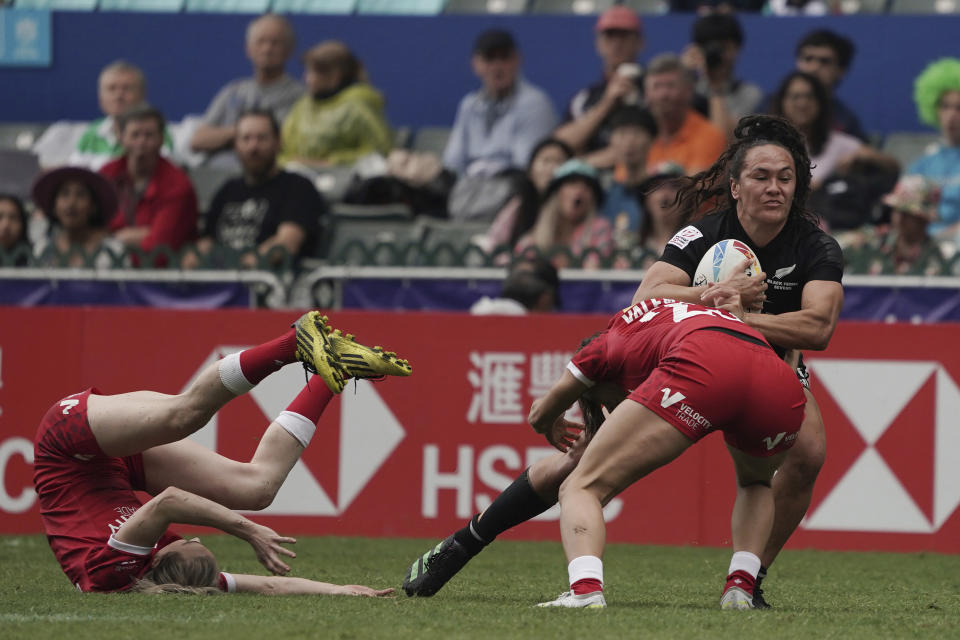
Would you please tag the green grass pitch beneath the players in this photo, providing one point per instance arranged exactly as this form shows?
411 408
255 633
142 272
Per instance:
652 592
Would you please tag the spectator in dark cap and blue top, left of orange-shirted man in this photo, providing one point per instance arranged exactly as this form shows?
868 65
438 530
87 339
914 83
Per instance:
632 131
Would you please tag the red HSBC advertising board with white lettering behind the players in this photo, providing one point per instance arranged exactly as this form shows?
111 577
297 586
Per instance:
414 457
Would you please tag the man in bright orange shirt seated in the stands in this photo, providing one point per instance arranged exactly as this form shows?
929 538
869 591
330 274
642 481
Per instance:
684 136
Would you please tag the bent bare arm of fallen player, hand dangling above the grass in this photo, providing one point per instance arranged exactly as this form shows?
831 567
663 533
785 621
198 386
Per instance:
173 506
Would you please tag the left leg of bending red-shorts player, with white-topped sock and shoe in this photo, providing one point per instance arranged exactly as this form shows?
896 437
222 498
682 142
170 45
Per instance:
633 442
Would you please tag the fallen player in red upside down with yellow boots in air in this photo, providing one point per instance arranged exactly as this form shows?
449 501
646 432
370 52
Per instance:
93 451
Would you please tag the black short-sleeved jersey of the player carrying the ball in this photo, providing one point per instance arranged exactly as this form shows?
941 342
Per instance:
801 252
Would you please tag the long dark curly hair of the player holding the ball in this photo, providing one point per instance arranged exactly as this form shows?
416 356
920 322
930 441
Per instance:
710 189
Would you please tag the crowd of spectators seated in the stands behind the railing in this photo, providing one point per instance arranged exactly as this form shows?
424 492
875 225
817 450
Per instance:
260 178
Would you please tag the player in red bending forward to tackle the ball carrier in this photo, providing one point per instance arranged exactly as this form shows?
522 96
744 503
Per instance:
692 370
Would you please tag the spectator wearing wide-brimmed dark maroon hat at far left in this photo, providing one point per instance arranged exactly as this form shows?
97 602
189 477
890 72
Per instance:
76 203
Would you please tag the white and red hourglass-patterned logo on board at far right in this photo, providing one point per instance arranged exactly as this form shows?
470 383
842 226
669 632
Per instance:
901 440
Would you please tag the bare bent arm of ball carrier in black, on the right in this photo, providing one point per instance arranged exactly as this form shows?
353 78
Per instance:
809 328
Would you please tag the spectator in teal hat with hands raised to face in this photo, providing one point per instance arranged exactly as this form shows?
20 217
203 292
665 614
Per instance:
569 225
